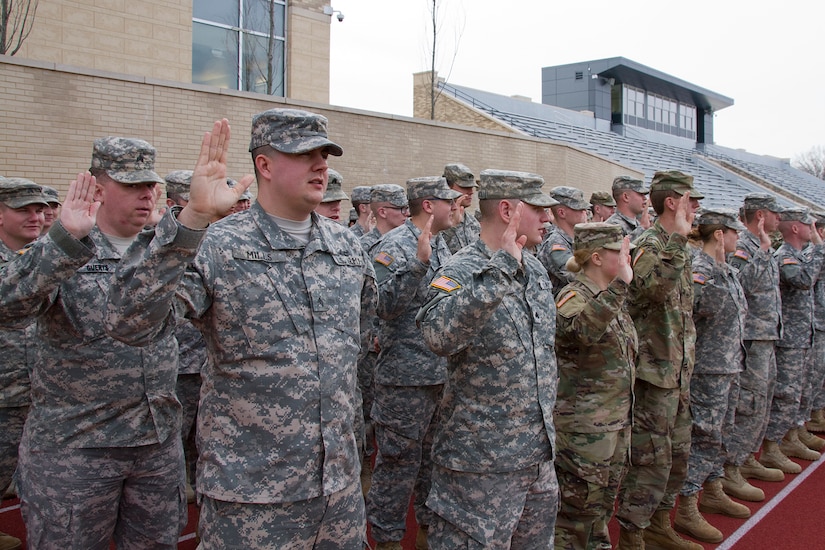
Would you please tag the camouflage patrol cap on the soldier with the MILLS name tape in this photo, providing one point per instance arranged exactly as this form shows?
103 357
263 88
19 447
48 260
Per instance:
291 131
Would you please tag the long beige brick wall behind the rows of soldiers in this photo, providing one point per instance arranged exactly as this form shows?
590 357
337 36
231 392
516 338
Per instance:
50 117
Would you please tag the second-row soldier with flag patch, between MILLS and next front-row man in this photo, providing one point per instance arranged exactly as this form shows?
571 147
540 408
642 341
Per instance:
408 376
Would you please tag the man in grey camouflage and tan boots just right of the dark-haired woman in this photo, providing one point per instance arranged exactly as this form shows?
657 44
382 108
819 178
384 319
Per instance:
758 273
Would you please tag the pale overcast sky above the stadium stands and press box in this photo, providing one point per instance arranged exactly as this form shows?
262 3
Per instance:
768 58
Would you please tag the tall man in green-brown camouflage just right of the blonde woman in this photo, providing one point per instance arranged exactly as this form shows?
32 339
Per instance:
660 303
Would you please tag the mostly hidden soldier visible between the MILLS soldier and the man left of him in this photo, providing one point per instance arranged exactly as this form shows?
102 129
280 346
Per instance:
191 349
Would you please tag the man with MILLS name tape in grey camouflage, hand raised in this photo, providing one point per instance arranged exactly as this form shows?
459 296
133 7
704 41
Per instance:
279 294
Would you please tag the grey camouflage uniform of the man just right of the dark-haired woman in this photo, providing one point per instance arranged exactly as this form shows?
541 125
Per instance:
758 274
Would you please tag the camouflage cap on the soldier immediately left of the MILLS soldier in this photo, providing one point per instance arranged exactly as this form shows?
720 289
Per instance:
125 160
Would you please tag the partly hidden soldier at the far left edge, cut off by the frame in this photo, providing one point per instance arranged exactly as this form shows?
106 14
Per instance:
22 208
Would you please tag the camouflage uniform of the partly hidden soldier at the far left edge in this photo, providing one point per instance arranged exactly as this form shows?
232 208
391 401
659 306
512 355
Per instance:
17 348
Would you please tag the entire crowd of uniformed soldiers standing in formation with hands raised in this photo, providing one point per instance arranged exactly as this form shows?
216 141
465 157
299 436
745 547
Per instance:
519 372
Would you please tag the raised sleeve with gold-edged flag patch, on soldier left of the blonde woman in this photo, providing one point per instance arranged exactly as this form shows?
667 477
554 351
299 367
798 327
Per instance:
461 301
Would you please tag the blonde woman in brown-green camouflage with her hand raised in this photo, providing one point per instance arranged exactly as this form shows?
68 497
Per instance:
596 347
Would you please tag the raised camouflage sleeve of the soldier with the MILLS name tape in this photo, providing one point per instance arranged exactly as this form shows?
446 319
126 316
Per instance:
148 281
